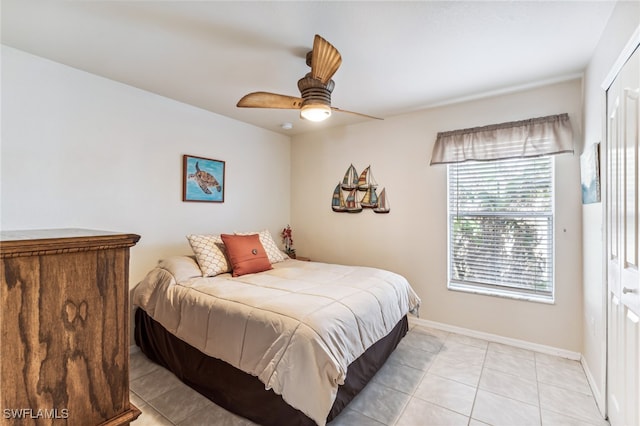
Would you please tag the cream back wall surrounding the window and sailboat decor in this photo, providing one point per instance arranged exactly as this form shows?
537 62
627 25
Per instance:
412 239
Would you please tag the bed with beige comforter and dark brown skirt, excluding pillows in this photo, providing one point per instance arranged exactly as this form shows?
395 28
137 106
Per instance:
291 344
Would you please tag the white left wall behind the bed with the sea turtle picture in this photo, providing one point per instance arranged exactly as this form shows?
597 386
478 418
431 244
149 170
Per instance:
82 151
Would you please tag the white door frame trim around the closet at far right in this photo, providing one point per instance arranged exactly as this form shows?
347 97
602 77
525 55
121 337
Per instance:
623 57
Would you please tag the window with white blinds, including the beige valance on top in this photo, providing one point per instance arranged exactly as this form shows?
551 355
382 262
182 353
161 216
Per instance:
500 183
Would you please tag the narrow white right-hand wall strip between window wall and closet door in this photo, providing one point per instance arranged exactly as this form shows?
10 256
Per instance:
624 20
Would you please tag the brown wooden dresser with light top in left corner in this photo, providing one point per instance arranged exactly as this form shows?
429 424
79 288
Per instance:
64 328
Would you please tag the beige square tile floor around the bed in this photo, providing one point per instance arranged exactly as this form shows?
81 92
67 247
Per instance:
433 378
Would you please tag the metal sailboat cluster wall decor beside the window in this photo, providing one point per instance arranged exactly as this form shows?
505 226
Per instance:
353 183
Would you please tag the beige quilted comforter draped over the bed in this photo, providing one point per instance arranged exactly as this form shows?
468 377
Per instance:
296 327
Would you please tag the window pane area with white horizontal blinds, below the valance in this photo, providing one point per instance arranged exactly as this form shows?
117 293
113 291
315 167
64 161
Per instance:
501 227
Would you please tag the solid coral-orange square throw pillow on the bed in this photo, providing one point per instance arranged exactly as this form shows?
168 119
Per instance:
246 254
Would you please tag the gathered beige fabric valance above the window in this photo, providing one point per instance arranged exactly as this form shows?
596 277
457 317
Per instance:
518 139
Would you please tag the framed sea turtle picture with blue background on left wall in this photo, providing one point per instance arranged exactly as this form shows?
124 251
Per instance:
203 179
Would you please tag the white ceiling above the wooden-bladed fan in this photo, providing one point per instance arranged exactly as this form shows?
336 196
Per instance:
397 56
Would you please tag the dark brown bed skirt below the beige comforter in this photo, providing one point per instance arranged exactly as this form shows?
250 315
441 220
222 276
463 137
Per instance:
242 393
